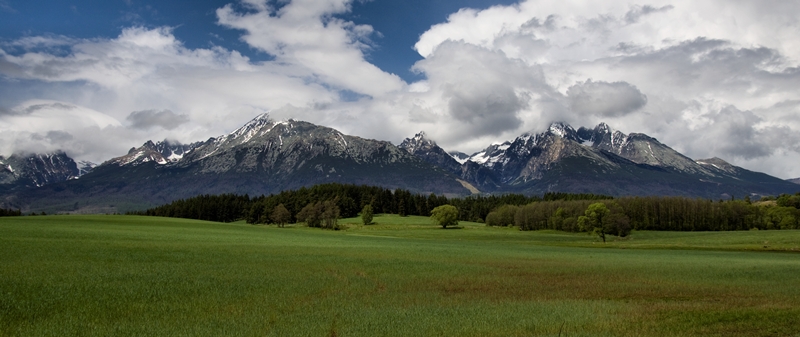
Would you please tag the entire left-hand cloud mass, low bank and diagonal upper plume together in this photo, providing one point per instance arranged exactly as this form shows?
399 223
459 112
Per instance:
317 56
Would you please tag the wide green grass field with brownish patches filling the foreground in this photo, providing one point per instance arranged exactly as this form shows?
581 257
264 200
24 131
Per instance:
140 276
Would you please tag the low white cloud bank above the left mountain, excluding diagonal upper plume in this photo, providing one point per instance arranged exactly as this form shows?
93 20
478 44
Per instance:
149 69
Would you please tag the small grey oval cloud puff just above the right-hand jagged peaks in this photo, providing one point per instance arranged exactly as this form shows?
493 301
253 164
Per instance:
605 99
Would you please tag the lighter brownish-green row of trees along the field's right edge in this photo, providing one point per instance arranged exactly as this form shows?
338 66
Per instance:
653 213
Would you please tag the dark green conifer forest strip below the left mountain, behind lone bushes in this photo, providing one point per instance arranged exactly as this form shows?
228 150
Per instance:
348 199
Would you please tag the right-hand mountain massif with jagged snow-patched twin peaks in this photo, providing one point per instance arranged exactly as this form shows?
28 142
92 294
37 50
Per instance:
602 160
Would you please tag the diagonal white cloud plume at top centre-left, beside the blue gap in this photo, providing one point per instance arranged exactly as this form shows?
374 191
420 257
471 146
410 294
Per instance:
306 33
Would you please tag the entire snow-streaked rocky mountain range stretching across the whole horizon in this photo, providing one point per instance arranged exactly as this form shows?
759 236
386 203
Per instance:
266 156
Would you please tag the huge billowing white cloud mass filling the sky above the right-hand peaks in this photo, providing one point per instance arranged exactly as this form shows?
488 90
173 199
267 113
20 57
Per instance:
711 78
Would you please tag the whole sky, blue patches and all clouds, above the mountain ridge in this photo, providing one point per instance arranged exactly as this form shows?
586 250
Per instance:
95 78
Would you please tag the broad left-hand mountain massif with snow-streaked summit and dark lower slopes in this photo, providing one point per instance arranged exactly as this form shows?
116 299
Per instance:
261 157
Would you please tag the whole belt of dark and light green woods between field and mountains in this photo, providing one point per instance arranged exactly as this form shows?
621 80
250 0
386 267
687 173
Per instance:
322 205
